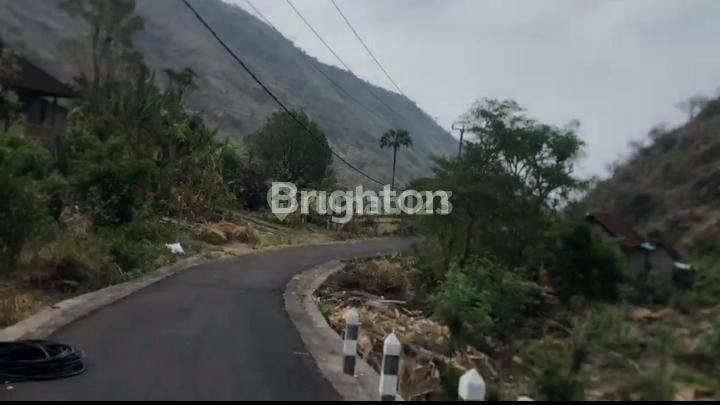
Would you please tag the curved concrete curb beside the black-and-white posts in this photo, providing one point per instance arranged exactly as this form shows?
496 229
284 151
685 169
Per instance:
321 340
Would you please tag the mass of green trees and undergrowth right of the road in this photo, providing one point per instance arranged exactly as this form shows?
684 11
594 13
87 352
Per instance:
514 275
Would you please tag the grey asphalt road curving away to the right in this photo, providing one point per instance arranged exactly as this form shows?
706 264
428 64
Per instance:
218 331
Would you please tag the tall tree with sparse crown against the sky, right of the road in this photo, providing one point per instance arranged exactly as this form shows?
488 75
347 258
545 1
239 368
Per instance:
506 185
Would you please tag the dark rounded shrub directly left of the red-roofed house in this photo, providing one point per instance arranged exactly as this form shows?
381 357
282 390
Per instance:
580 262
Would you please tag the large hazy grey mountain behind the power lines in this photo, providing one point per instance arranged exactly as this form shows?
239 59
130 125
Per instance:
227 96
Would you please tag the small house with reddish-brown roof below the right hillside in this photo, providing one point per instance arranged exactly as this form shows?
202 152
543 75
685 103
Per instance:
649 258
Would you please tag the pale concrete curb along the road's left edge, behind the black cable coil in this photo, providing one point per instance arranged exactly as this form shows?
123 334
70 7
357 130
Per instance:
49 320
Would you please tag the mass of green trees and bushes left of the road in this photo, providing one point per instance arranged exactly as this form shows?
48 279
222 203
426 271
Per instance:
94 211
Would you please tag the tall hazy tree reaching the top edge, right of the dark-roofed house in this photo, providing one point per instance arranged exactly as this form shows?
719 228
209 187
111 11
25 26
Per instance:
109 49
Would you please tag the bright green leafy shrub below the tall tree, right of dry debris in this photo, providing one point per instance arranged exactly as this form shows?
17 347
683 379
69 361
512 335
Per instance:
484 299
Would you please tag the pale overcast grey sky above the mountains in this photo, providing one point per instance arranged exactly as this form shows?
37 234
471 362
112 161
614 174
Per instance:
619 66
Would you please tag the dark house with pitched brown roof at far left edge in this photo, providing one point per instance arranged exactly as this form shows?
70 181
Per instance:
40 94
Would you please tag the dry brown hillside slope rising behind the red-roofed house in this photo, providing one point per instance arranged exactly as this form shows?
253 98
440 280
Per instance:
672 186
